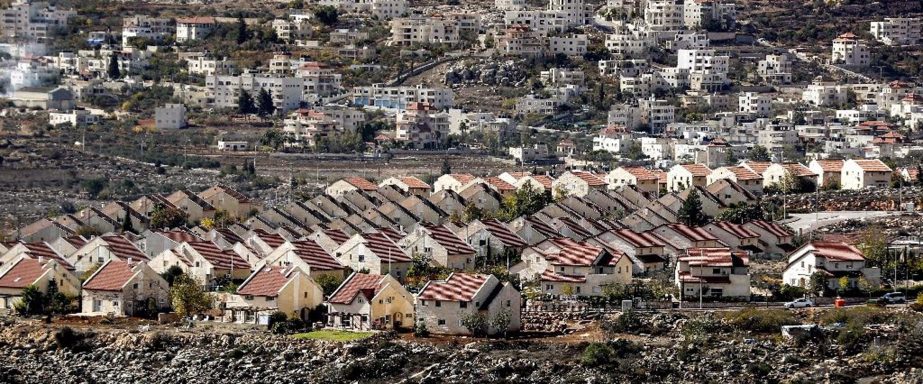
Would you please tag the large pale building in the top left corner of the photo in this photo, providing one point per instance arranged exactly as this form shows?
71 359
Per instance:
34 20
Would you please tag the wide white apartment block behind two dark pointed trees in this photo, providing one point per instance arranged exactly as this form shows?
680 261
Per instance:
223 91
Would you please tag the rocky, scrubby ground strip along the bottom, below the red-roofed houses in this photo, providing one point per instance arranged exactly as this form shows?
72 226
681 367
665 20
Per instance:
672 348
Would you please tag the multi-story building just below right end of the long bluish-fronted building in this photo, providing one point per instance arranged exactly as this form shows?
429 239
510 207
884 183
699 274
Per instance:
421 126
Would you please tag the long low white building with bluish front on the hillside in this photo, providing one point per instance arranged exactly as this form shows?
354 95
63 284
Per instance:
380 96
